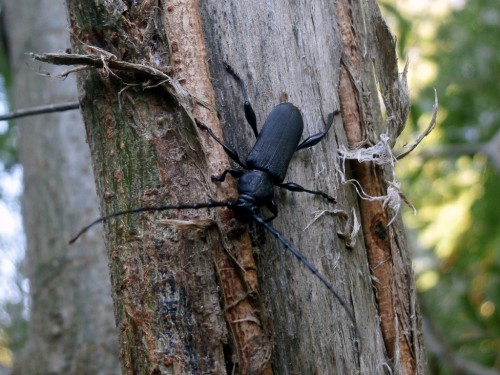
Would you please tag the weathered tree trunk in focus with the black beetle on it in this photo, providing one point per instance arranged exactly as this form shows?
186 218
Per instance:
177 312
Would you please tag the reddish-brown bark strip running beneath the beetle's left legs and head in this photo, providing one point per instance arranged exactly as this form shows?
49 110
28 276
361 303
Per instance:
189 59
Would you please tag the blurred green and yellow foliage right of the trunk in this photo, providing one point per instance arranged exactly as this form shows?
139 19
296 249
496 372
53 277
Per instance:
453 182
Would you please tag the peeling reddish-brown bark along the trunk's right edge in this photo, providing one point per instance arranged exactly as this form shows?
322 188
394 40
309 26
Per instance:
388 256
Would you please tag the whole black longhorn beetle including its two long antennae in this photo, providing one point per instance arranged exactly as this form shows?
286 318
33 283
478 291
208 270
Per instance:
264 168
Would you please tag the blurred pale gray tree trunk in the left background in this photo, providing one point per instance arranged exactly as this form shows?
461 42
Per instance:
72 328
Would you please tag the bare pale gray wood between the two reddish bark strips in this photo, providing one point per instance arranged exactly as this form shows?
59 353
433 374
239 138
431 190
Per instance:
294 48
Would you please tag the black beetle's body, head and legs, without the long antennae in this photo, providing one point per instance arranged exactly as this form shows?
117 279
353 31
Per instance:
267 162
